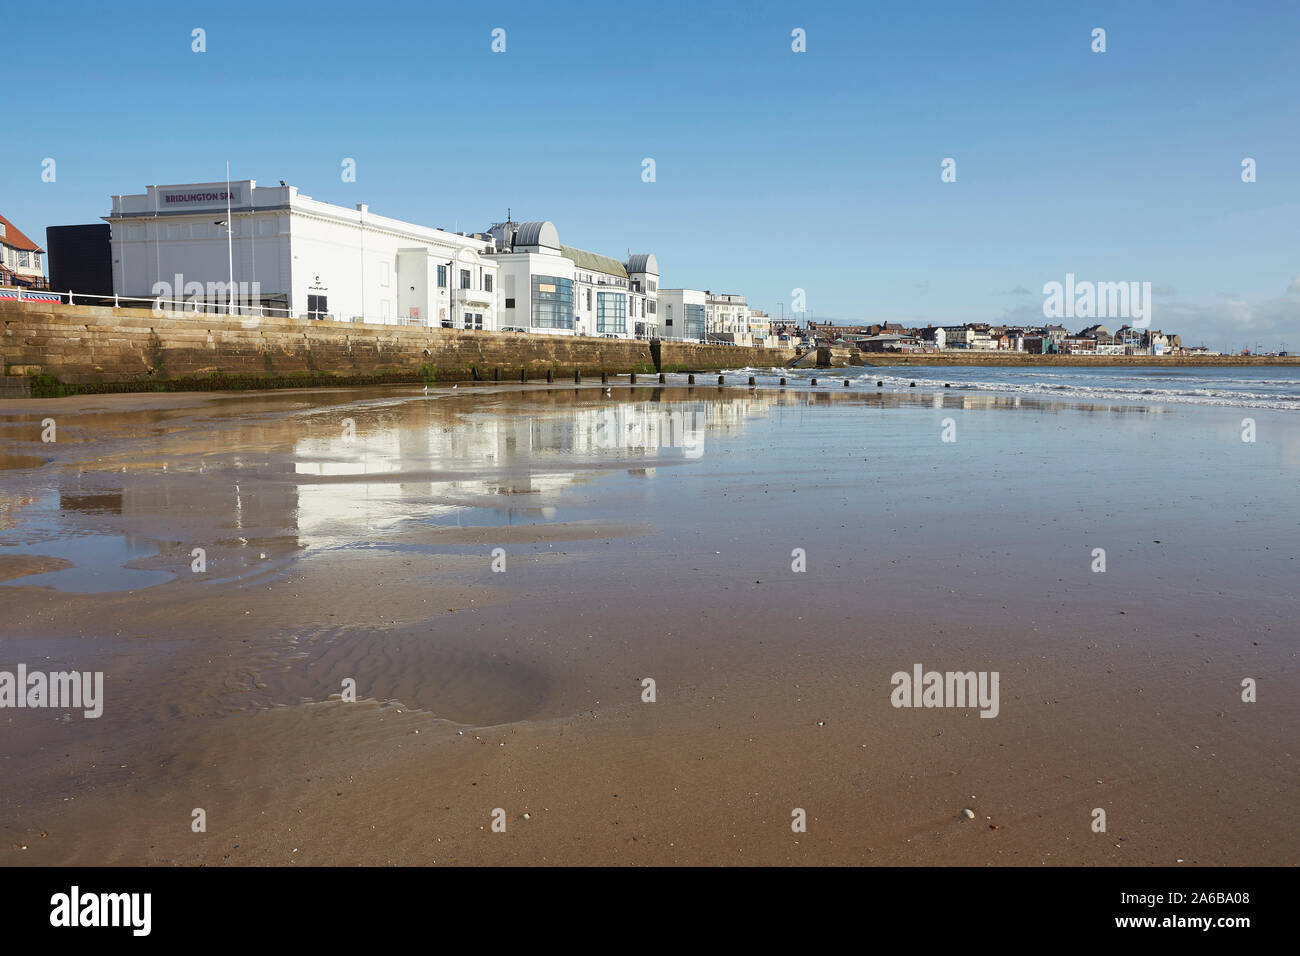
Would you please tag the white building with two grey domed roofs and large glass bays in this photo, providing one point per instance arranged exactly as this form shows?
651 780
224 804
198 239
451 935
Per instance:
560 289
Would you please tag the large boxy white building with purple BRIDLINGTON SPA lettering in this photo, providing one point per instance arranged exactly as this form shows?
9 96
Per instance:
289 254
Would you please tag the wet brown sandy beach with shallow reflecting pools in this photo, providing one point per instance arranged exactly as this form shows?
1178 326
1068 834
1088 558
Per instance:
370 559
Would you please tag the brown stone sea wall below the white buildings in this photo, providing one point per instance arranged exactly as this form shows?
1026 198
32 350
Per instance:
55 349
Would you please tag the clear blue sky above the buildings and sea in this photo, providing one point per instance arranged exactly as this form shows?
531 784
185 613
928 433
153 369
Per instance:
775 171
